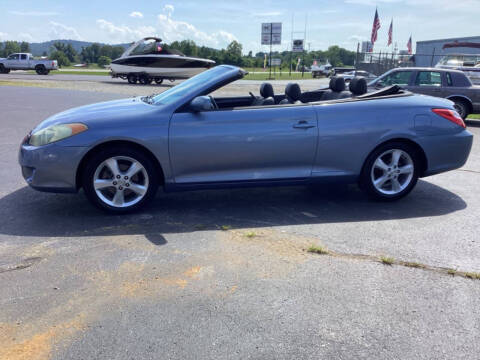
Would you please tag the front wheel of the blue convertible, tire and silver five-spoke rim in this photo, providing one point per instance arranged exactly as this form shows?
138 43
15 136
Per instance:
114 192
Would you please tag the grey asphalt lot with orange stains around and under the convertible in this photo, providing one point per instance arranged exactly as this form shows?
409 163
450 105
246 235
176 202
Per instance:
225 274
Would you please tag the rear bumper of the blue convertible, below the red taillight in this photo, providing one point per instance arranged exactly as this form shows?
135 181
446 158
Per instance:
446 152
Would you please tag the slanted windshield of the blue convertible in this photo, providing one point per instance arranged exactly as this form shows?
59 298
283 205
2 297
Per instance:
188 86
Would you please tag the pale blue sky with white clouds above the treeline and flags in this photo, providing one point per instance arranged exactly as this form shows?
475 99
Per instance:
216 23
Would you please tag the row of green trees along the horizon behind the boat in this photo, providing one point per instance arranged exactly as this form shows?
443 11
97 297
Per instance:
102 55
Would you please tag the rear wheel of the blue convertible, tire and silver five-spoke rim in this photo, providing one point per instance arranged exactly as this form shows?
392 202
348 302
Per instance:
390 180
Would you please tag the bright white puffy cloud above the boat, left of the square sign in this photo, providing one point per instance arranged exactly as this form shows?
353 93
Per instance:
172 30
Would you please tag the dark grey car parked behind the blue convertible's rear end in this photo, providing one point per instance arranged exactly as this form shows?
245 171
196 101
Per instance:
449 84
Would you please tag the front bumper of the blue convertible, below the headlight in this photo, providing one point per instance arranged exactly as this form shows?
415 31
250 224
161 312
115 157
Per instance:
51 168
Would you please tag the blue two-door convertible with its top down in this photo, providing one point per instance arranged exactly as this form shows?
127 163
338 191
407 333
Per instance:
119 152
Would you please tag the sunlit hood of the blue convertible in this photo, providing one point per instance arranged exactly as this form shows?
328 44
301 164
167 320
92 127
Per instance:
102 114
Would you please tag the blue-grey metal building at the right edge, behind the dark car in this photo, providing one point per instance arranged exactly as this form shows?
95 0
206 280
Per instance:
429 53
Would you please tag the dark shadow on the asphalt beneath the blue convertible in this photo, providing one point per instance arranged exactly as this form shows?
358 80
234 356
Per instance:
26 212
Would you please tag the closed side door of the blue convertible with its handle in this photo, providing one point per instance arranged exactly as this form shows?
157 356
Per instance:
243 144
